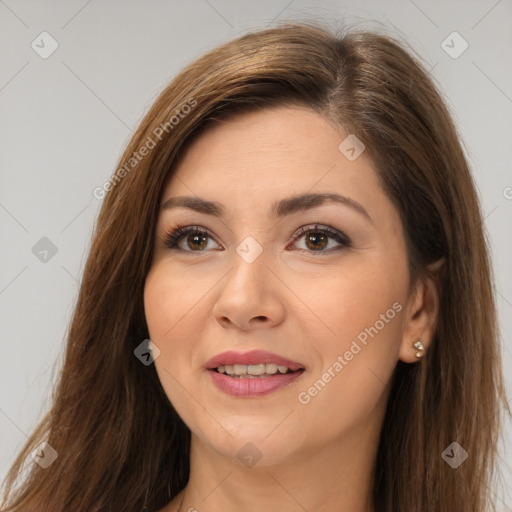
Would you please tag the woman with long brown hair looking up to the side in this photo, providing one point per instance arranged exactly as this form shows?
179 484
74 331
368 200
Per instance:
364 378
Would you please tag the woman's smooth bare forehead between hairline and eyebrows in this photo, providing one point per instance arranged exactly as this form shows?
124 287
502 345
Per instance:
259 157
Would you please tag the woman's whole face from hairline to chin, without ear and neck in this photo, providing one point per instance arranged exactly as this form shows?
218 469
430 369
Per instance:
333 300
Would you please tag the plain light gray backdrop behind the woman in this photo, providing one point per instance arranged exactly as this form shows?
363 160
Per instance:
66 119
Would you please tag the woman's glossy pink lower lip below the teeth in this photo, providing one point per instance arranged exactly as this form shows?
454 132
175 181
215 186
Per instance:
244 387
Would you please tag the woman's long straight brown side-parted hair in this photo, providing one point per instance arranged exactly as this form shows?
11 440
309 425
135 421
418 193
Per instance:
120 444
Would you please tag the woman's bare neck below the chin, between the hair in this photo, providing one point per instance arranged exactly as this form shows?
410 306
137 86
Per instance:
336 478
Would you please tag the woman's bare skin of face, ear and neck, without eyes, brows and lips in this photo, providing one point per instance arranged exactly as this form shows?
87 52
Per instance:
292 301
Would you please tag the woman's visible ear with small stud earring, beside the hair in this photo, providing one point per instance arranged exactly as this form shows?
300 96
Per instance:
421 313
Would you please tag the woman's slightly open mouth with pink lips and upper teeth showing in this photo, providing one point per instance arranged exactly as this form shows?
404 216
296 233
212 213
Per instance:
254 373
